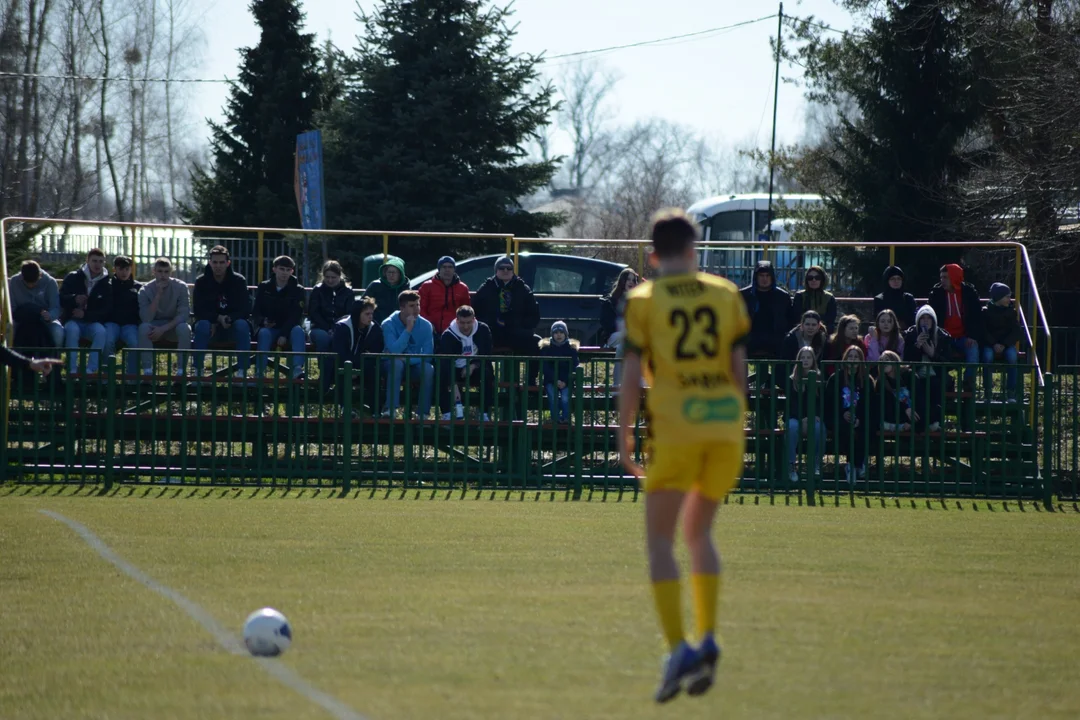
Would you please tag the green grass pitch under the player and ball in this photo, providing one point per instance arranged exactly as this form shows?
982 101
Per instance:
511 608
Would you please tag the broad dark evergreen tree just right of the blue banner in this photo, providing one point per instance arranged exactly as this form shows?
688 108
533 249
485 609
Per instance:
433 129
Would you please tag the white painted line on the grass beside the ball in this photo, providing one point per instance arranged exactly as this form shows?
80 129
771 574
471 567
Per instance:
229 642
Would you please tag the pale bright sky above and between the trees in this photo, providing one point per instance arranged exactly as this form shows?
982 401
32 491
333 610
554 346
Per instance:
721 84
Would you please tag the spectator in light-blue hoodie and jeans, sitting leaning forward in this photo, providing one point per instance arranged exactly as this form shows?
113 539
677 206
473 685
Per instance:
408 334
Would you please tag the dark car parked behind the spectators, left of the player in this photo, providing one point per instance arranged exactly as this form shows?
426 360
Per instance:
569 288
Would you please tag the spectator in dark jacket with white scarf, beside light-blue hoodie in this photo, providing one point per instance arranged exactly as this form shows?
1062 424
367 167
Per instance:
469 341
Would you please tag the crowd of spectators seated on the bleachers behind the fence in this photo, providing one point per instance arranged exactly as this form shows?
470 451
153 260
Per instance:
393 336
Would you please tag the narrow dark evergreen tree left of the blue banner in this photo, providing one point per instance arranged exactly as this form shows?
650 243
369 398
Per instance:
276 98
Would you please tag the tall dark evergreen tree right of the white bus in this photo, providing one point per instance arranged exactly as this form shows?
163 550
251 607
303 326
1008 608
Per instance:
894 168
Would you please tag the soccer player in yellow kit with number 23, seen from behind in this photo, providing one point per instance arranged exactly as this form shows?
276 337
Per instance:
684 331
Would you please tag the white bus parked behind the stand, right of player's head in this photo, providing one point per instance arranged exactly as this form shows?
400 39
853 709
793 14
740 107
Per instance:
744 219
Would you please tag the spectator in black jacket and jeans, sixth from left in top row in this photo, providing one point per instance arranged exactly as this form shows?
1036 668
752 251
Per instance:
278 316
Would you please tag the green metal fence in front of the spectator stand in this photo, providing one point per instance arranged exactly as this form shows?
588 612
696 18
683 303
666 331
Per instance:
329 430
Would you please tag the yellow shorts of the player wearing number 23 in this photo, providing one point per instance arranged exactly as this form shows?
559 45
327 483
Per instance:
712 470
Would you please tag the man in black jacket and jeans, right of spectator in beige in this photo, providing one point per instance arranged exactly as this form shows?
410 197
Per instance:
223 306
